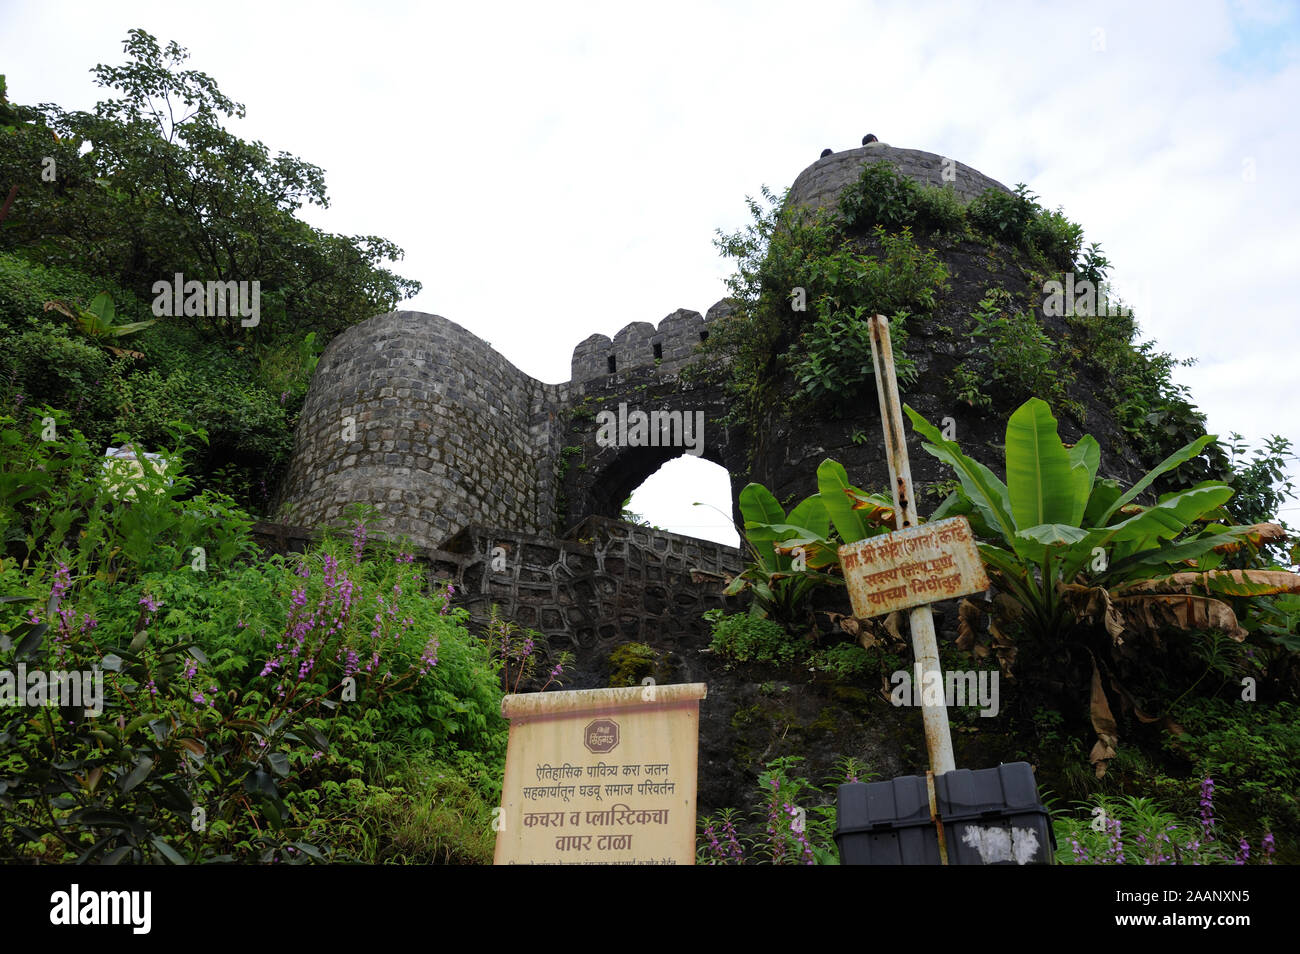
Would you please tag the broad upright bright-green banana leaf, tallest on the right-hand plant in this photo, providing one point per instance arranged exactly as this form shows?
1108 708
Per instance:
1039 478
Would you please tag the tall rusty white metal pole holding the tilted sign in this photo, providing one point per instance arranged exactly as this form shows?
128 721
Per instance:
925 647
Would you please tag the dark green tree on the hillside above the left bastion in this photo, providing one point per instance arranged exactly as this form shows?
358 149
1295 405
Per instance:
167 189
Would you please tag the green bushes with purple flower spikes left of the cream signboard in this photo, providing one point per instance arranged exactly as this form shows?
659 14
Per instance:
246 708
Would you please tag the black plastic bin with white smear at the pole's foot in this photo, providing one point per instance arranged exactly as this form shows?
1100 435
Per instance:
990 817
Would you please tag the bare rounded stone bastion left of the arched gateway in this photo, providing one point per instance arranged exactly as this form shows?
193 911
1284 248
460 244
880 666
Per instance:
427 423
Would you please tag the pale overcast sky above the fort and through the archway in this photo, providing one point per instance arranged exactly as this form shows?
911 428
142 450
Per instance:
560 170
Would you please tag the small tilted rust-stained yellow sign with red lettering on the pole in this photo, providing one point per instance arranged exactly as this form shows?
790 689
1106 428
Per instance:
912 567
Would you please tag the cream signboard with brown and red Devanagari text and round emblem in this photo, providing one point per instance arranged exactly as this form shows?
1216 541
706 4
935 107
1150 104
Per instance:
601 777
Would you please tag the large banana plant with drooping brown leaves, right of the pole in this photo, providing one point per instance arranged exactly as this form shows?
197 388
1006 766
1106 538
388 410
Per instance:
1064 549
